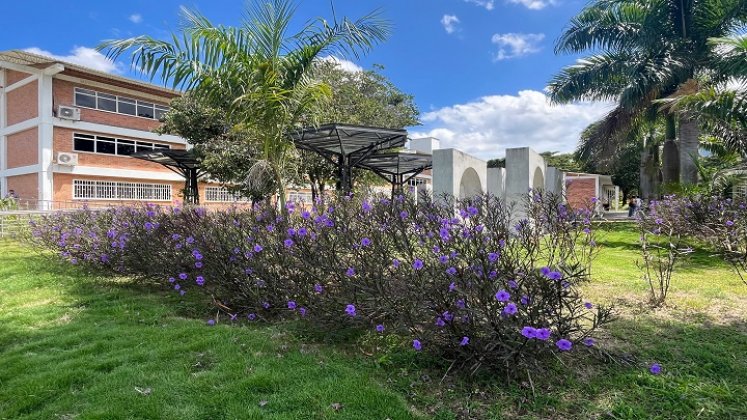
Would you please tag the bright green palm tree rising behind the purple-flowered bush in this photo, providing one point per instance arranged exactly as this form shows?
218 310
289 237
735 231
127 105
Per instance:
260 72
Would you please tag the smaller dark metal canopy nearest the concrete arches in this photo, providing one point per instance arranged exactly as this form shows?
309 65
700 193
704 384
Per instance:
398 167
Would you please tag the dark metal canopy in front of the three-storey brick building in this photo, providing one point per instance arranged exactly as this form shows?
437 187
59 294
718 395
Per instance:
184 163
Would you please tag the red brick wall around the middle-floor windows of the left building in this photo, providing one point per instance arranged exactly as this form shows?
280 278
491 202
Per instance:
63 142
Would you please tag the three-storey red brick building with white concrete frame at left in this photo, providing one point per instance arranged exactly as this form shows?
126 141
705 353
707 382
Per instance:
67 133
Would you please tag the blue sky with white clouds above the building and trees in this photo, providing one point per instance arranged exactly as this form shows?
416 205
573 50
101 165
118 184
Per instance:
476 68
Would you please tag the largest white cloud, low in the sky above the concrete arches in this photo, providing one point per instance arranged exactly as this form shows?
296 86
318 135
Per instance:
487 126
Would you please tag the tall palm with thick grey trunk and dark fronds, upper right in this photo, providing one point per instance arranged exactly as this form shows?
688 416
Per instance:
647 49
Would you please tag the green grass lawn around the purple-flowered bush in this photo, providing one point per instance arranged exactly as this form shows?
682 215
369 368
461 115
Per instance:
79 346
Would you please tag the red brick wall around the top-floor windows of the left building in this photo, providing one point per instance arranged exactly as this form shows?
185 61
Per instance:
64 91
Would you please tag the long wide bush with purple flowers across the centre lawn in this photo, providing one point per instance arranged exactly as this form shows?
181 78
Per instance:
476 285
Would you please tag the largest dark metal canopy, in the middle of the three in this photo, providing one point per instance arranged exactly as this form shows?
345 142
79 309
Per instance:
348 146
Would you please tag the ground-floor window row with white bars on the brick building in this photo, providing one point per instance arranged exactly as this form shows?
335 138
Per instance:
115 190
